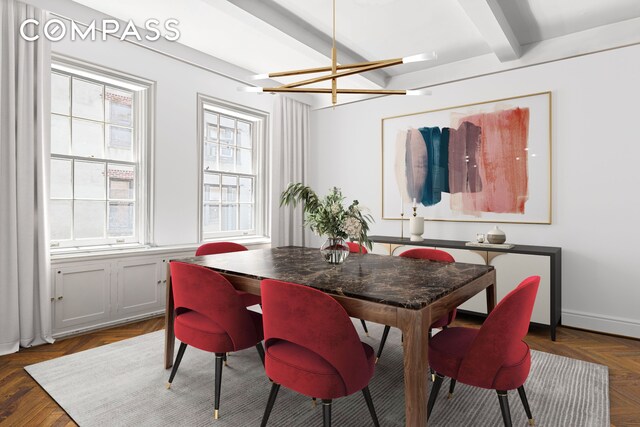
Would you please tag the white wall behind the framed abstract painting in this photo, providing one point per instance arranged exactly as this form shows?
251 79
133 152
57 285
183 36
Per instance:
595 174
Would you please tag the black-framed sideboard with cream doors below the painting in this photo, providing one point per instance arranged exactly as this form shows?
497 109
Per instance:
512 266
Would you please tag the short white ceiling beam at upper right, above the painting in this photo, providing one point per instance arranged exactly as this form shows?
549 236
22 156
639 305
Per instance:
488 17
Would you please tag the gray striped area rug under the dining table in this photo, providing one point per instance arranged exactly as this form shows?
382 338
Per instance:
123 384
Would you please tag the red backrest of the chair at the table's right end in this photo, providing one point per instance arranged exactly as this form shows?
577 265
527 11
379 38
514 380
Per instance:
501 335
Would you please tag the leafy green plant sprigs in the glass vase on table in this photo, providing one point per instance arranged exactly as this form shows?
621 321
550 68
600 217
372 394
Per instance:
328 216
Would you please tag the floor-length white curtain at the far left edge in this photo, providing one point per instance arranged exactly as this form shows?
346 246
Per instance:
25 308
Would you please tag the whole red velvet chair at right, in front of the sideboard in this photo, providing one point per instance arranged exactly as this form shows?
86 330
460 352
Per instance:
493 357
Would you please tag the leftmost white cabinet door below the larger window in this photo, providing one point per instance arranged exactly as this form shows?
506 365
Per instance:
81 295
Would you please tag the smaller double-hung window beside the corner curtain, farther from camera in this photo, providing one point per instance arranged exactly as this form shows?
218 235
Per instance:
233 170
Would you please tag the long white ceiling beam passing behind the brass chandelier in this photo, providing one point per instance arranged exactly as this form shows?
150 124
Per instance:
290 24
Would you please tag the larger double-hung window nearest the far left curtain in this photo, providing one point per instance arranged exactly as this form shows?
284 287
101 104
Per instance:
99 132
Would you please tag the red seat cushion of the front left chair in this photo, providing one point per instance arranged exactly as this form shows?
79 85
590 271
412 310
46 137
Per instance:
201 332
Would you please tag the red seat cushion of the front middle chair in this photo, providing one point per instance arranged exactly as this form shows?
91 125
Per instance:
303 370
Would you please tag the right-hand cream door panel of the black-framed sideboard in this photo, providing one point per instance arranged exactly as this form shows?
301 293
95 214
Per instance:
511 269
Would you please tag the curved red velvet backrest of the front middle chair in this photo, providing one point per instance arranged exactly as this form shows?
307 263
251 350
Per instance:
312 319
